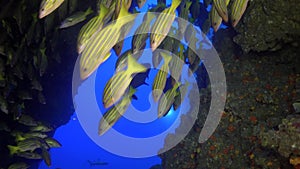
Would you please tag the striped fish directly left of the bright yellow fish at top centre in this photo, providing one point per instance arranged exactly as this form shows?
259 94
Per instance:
141 34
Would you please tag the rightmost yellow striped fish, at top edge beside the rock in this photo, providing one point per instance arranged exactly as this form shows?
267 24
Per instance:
237 10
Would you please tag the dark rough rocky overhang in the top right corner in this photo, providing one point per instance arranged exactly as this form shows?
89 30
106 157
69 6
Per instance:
269 25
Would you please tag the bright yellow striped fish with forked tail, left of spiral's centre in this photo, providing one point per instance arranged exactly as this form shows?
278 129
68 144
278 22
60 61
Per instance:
117 85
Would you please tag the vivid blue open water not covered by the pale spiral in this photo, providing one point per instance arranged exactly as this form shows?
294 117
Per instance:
79 149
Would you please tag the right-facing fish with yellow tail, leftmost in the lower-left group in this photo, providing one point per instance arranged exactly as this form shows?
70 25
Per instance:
25 145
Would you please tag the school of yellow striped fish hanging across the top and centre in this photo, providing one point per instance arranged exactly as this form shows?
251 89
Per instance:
106 31
